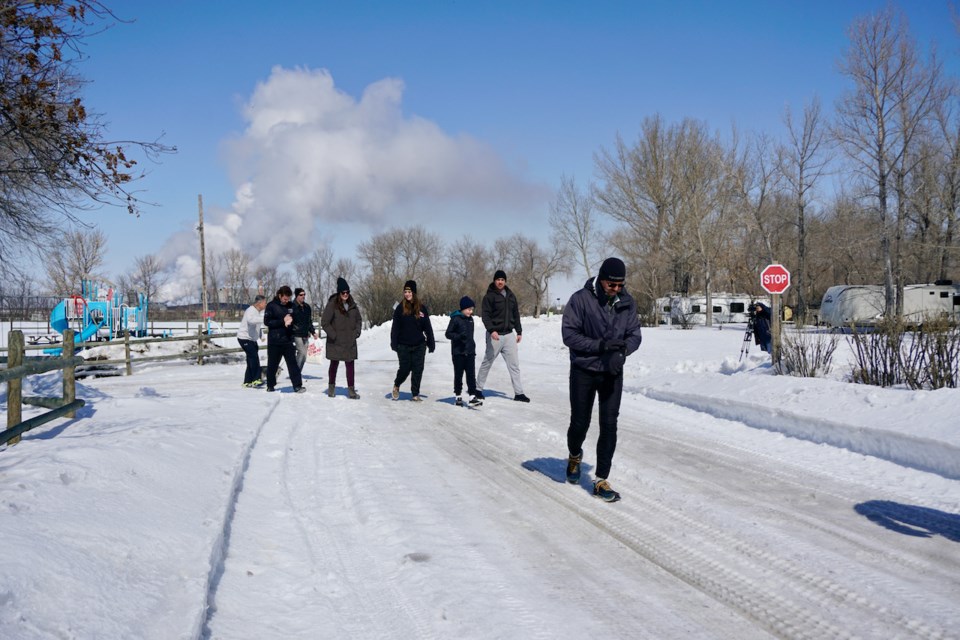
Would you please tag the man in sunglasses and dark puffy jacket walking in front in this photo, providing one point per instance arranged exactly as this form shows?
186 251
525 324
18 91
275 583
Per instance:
601 328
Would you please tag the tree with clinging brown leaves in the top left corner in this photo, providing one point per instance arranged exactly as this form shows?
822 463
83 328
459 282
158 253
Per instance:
54 156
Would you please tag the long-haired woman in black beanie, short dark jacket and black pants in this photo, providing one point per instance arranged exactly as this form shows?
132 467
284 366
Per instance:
411 336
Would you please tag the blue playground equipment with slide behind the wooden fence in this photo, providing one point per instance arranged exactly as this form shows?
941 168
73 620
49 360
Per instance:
99 311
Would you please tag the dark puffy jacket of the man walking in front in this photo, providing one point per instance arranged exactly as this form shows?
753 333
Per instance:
588 321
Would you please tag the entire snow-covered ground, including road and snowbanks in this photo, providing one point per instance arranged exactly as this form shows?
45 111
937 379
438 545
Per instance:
181 505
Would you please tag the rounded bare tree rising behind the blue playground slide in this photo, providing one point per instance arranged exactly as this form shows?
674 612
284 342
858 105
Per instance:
79 256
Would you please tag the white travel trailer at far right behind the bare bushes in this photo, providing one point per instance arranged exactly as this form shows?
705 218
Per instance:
863 305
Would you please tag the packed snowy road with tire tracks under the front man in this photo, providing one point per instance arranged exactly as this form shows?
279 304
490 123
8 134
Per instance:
428 521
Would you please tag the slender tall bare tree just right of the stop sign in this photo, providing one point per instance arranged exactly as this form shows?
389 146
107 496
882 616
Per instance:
802 161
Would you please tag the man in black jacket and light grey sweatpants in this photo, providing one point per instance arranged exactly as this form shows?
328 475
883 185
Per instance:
501 318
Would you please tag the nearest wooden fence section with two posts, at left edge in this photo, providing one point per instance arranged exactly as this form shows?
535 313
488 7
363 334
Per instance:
65 406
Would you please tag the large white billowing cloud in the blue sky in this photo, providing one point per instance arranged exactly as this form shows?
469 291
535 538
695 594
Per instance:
313 155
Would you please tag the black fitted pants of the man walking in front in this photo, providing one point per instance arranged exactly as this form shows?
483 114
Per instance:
584 387
